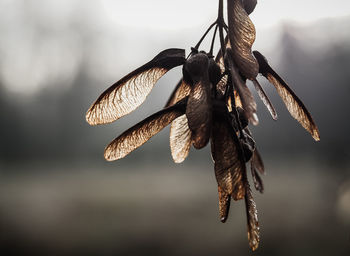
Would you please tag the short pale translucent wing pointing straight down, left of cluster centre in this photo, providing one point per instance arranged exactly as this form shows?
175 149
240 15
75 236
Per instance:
180 139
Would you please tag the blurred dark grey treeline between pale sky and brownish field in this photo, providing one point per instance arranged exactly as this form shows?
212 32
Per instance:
51 125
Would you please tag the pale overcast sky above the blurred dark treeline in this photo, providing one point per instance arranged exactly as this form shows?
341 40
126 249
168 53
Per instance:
42 41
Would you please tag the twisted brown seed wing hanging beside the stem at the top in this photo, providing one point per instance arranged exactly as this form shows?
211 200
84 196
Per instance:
242 36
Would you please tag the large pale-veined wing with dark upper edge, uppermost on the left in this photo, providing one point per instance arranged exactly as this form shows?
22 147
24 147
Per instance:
131 91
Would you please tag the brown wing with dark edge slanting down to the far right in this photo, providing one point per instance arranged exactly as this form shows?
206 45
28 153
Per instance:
294 105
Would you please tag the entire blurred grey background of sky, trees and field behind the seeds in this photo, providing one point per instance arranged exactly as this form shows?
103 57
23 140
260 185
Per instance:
59 197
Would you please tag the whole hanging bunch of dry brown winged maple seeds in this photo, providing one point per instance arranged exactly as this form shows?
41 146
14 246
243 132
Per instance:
211 102
